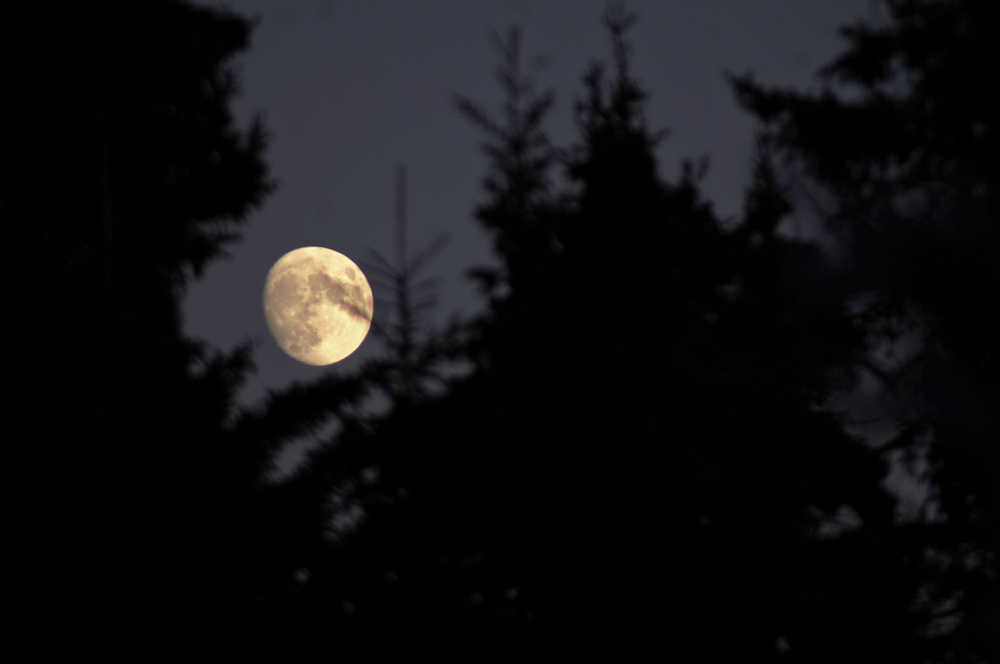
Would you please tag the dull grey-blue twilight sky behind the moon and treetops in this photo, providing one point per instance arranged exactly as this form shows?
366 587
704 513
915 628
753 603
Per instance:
349 88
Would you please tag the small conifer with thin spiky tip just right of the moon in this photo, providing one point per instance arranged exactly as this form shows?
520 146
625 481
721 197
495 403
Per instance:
313 510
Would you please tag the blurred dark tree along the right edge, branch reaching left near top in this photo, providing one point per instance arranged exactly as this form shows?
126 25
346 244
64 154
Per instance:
899 144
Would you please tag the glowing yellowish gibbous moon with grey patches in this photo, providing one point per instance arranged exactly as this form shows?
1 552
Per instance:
318 305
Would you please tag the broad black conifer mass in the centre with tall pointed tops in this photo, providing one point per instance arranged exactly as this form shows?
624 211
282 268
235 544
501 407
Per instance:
643 446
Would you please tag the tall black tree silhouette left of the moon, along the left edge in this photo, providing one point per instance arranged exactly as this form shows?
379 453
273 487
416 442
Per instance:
128 171
